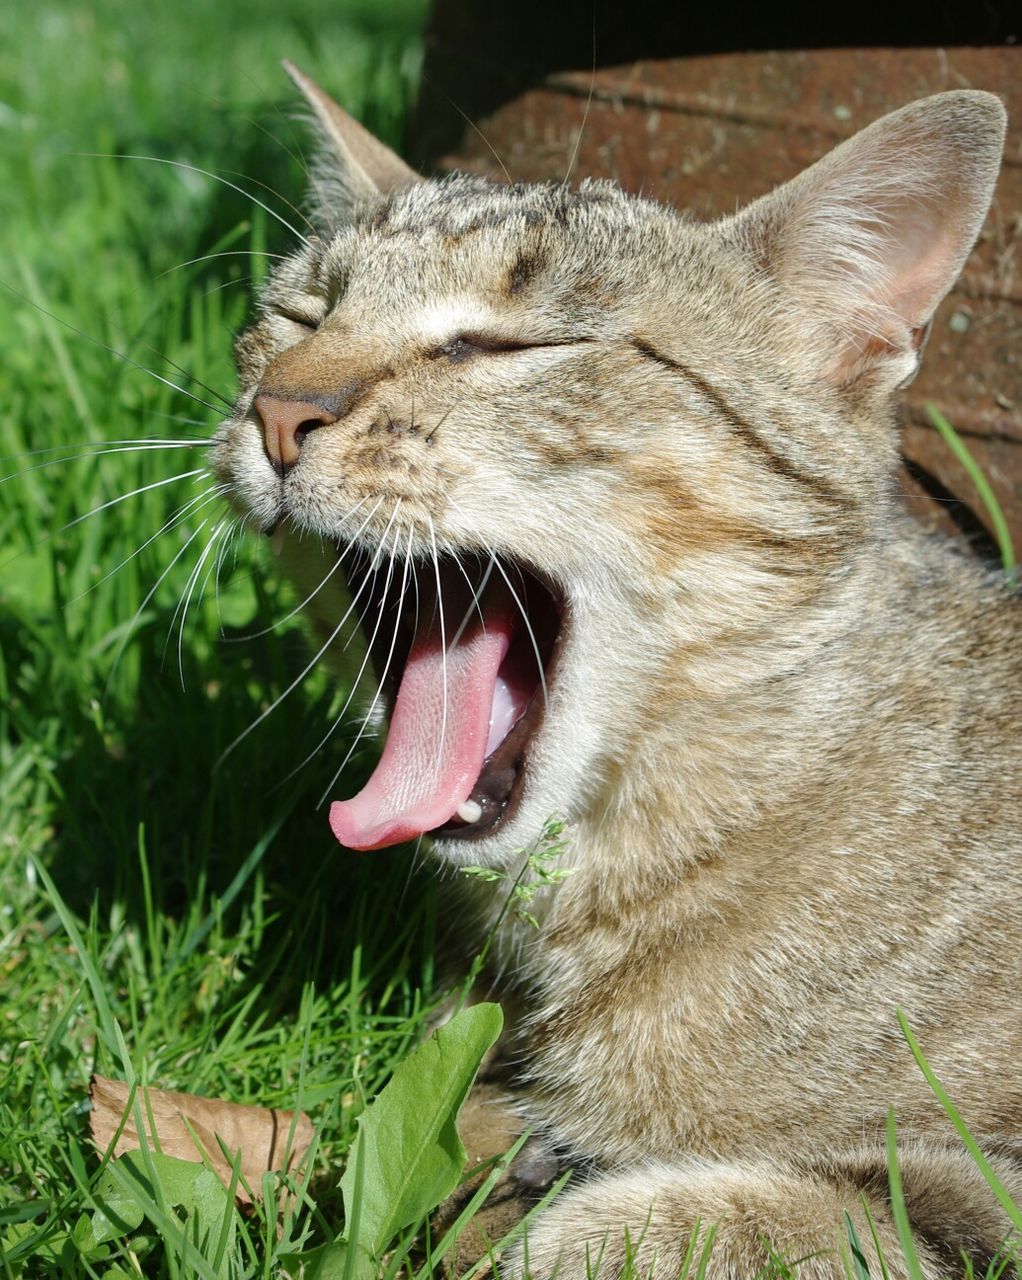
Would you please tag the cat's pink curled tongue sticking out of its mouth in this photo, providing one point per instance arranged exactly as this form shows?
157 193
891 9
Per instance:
431 762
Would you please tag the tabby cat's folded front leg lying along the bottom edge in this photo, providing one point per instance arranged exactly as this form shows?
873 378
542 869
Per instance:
642 1223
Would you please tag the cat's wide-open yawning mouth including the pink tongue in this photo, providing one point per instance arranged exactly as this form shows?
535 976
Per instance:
467 650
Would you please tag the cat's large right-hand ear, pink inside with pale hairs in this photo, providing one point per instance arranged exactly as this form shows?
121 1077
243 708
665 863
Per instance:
872 237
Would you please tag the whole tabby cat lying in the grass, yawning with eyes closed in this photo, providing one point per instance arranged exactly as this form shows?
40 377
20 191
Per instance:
783 725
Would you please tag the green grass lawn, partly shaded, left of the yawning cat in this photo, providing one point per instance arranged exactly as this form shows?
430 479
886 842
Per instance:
163 920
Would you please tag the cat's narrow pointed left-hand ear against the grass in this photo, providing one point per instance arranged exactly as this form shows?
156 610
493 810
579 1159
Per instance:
353 168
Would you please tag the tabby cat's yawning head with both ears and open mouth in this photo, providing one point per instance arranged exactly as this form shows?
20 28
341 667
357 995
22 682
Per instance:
574 449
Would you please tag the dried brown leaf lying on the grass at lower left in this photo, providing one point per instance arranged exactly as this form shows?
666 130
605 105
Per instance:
189 1127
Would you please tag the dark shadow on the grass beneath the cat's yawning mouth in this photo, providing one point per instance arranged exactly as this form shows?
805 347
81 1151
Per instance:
147 772
